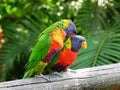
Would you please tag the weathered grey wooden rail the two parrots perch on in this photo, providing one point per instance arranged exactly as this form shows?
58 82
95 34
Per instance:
97 78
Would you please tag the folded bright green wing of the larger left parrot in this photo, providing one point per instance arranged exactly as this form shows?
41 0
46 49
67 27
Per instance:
39 51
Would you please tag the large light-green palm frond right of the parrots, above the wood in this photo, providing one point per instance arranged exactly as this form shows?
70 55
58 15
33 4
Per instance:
103 48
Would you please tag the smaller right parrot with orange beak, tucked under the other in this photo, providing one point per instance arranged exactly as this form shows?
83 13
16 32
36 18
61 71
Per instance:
67 55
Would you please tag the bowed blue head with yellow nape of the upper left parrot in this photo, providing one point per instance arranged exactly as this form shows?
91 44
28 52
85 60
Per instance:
70 27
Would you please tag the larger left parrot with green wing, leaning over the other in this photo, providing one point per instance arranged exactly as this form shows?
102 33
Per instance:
48 44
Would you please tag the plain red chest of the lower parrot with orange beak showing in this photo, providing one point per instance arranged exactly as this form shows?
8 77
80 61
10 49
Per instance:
67 57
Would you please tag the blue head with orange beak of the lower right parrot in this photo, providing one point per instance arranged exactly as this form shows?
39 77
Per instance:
78 42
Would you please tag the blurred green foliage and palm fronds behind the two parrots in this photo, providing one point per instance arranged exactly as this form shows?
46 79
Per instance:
22 21
